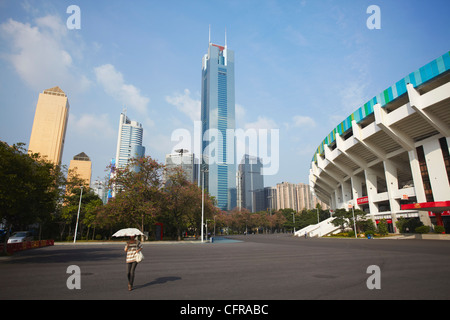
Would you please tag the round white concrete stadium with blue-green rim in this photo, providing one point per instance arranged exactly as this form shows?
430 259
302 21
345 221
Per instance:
390 157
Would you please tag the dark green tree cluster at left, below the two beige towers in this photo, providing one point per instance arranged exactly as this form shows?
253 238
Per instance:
40 196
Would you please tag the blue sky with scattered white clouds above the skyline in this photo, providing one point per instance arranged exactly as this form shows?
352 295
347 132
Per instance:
300 66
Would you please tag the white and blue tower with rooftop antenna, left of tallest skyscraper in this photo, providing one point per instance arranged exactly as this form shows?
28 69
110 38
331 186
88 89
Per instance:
129 141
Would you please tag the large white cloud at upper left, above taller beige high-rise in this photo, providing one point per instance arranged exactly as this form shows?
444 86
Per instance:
40 54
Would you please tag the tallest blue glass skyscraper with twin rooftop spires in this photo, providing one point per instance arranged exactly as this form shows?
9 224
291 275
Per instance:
218 115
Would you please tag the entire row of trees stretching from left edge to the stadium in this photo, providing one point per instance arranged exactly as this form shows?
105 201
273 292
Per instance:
37 194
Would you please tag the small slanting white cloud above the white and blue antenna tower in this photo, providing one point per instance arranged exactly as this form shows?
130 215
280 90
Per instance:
114 85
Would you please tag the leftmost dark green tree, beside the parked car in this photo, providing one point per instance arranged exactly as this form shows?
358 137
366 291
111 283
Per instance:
30 187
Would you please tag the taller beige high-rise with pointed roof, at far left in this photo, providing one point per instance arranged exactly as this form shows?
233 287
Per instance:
49 126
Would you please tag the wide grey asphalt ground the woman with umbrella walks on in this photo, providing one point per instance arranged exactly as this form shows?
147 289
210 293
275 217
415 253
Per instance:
257 268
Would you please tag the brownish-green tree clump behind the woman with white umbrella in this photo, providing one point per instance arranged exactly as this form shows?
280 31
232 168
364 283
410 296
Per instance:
143 198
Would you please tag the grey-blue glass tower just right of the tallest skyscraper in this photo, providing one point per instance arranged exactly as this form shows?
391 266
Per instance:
250 184
